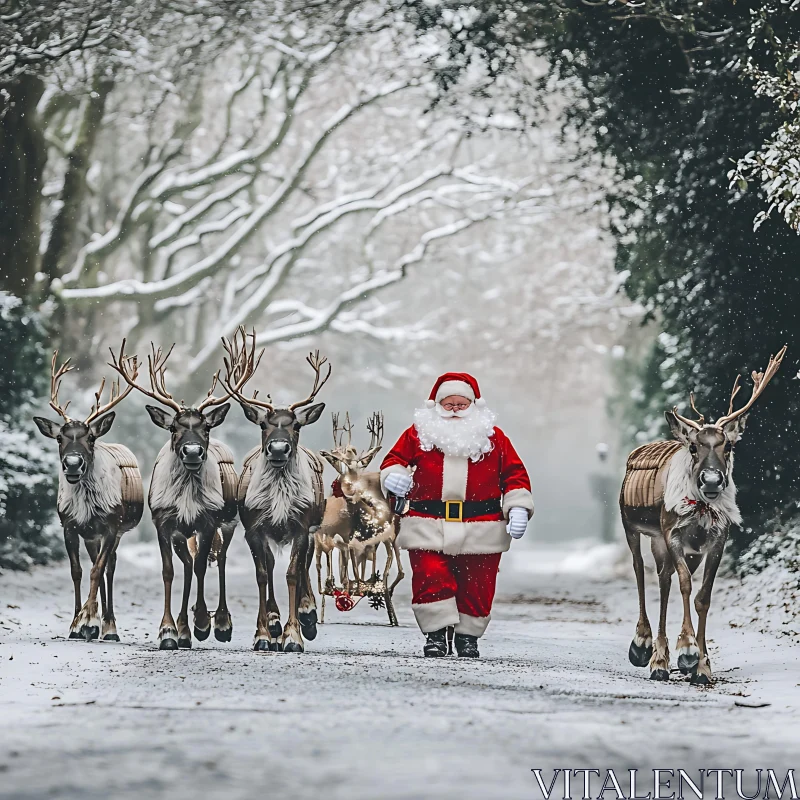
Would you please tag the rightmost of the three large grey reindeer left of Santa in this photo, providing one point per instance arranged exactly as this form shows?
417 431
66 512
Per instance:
281 502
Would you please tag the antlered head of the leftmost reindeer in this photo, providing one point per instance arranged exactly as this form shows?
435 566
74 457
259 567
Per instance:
76 438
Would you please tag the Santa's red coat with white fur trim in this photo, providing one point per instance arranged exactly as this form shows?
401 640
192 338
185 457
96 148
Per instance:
499 474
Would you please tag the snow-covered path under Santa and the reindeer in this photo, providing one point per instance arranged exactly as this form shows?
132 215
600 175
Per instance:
361 714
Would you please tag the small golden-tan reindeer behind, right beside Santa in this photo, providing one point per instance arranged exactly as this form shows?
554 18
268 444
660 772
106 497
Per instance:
359 521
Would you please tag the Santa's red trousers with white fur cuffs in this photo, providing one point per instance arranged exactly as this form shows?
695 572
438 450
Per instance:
453 590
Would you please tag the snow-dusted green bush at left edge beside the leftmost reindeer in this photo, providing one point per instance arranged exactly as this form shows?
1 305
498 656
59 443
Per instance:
29 531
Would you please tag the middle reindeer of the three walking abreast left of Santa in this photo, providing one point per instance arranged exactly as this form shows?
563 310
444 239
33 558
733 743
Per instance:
192 490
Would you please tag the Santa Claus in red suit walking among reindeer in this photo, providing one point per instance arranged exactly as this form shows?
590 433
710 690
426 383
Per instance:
469 495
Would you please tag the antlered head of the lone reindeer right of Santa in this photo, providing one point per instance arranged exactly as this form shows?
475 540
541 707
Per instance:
711 444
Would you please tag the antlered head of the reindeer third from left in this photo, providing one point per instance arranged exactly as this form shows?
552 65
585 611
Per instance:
280 427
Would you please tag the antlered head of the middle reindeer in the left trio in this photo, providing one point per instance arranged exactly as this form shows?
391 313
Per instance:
190 427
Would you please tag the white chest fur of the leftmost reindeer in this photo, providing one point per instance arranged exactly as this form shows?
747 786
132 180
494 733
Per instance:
97 493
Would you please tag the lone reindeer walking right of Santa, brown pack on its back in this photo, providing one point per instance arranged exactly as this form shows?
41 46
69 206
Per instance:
681 494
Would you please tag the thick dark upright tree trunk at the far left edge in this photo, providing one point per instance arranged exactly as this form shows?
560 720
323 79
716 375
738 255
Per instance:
22 160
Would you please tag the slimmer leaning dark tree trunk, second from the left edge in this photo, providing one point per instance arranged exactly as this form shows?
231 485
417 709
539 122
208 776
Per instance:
60 245
